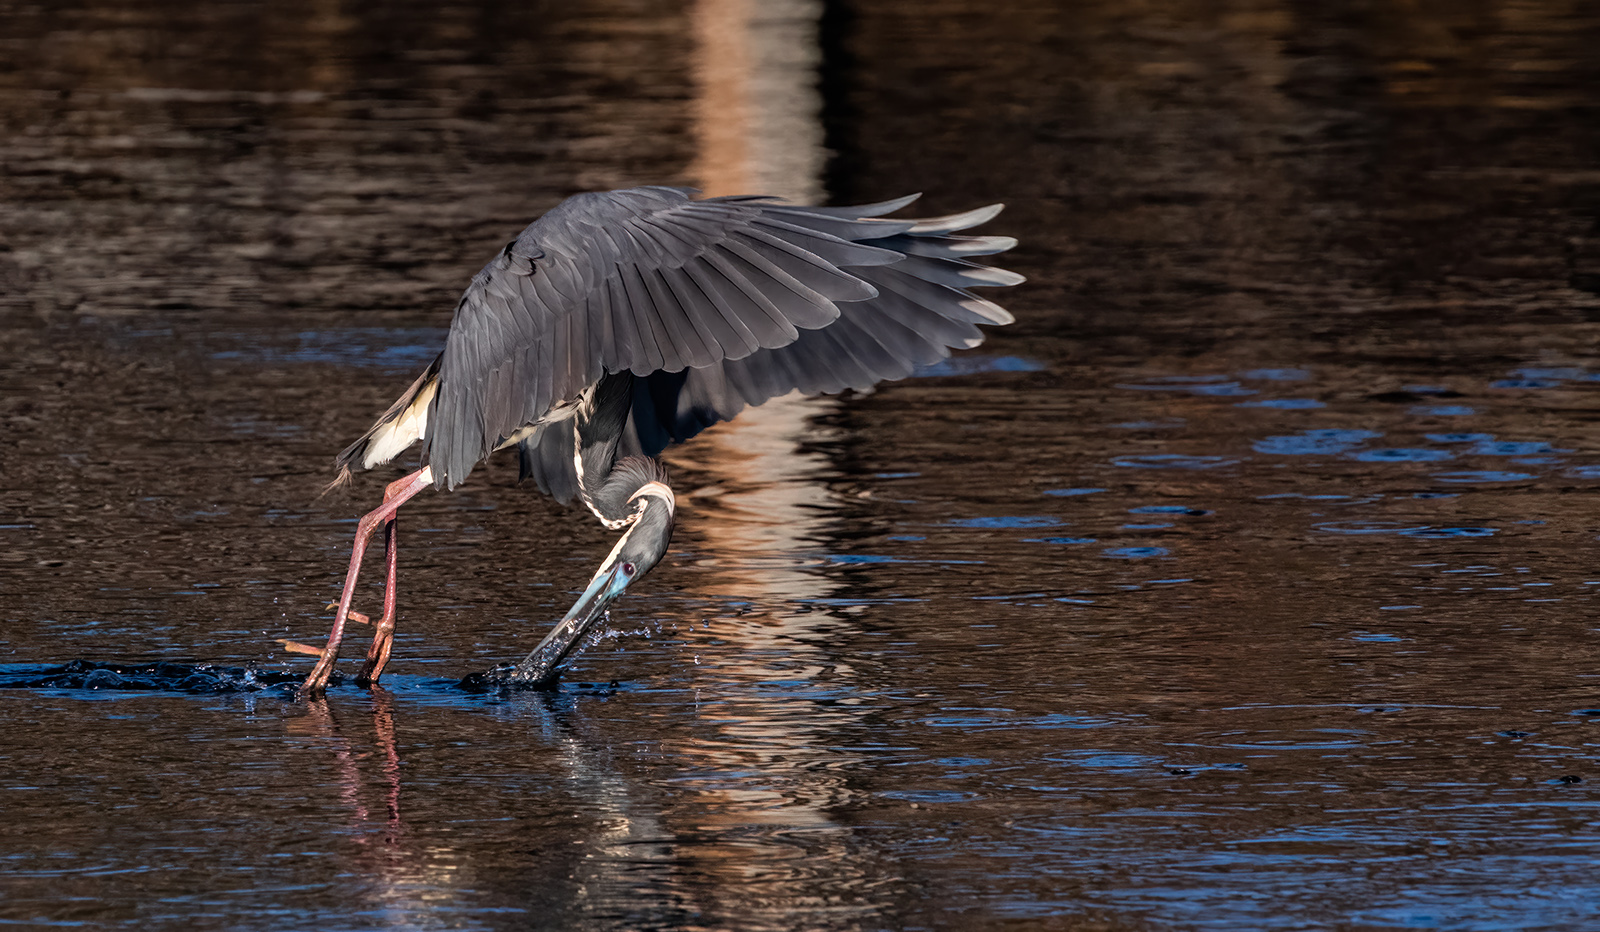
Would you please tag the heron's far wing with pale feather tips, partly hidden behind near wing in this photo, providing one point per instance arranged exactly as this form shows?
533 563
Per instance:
919 313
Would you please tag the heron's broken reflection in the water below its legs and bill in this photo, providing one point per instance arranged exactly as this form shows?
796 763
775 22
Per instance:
596 853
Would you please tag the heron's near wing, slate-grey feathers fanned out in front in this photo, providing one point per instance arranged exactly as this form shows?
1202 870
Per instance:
638 281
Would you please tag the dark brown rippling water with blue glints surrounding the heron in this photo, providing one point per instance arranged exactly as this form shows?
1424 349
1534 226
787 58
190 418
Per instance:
1247 582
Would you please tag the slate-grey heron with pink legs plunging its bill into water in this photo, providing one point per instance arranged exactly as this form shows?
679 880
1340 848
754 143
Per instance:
625 321
